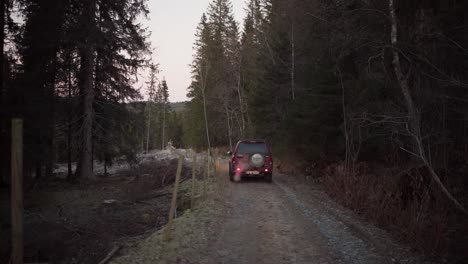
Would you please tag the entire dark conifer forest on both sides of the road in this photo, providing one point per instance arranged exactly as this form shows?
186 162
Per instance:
368 97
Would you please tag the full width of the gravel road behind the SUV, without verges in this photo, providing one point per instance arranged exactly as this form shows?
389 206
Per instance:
273 223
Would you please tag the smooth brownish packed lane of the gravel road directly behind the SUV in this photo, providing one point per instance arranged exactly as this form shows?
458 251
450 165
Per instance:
261 226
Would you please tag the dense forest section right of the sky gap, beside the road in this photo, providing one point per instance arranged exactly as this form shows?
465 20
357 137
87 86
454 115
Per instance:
369 96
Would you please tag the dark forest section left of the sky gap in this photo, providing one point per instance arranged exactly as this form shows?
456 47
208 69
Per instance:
72 78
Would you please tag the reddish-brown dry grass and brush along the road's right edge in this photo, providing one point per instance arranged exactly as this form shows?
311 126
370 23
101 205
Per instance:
400 201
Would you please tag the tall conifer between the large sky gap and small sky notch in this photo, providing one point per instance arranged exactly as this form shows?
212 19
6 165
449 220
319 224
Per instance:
226 90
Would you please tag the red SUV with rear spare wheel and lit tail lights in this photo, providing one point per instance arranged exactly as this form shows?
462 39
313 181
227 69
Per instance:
251 157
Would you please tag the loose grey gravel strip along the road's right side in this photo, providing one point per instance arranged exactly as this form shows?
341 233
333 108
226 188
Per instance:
349 238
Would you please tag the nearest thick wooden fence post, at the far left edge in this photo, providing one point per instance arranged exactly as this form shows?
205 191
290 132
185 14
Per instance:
17 191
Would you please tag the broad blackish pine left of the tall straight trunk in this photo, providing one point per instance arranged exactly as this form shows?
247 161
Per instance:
39 51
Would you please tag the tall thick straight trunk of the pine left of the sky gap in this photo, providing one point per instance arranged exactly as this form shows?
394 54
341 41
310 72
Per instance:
87 65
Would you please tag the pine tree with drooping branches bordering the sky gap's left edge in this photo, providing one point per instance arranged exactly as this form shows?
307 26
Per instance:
114 29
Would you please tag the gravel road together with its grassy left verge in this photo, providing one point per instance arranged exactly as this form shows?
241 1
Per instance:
258 222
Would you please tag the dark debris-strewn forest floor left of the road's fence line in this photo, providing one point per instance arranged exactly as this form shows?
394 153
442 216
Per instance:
80 222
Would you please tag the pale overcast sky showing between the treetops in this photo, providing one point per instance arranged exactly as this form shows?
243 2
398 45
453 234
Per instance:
173 24
